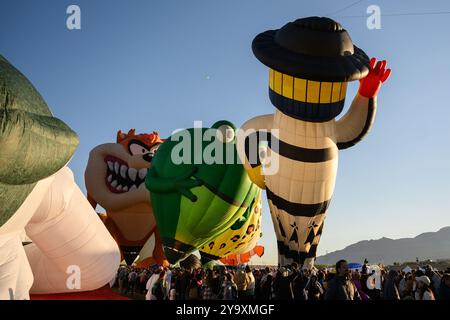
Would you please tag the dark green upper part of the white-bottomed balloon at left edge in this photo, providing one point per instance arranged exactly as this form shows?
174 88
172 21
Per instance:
33 143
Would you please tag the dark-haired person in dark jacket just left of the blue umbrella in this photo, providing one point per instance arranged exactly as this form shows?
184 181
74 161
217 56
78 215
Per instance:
341 287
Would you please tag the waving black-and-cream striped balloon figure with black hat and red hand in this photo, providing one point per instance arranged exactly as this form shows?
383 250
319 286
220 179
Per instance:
310 60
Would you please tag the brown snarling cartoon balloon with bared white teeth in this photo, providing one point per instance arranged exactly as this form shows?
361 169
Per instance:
114 178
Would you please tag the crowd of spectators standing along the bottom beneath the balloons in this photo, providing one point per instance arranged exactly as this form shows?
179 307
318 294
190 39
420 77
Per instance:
284 283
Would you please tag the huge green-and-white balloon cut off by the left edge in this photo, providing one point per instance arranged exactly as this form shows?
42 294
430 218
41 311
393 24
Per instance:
38 194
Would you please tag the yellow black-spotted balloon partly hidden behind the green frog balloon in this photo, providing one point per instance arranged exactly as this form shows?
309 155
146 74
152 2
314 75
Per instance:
241 237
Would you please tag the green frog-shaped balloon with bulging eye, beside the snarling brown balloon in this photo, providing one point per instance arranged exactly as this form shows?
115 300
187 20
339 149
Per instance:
198 188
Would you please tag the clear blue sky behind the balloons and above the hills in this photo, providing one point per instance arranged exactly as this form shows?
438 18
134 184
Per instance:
160 65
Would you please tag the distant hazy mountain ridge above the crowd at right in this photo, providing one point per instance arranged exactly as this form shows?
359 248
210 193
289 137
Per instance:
429 245
